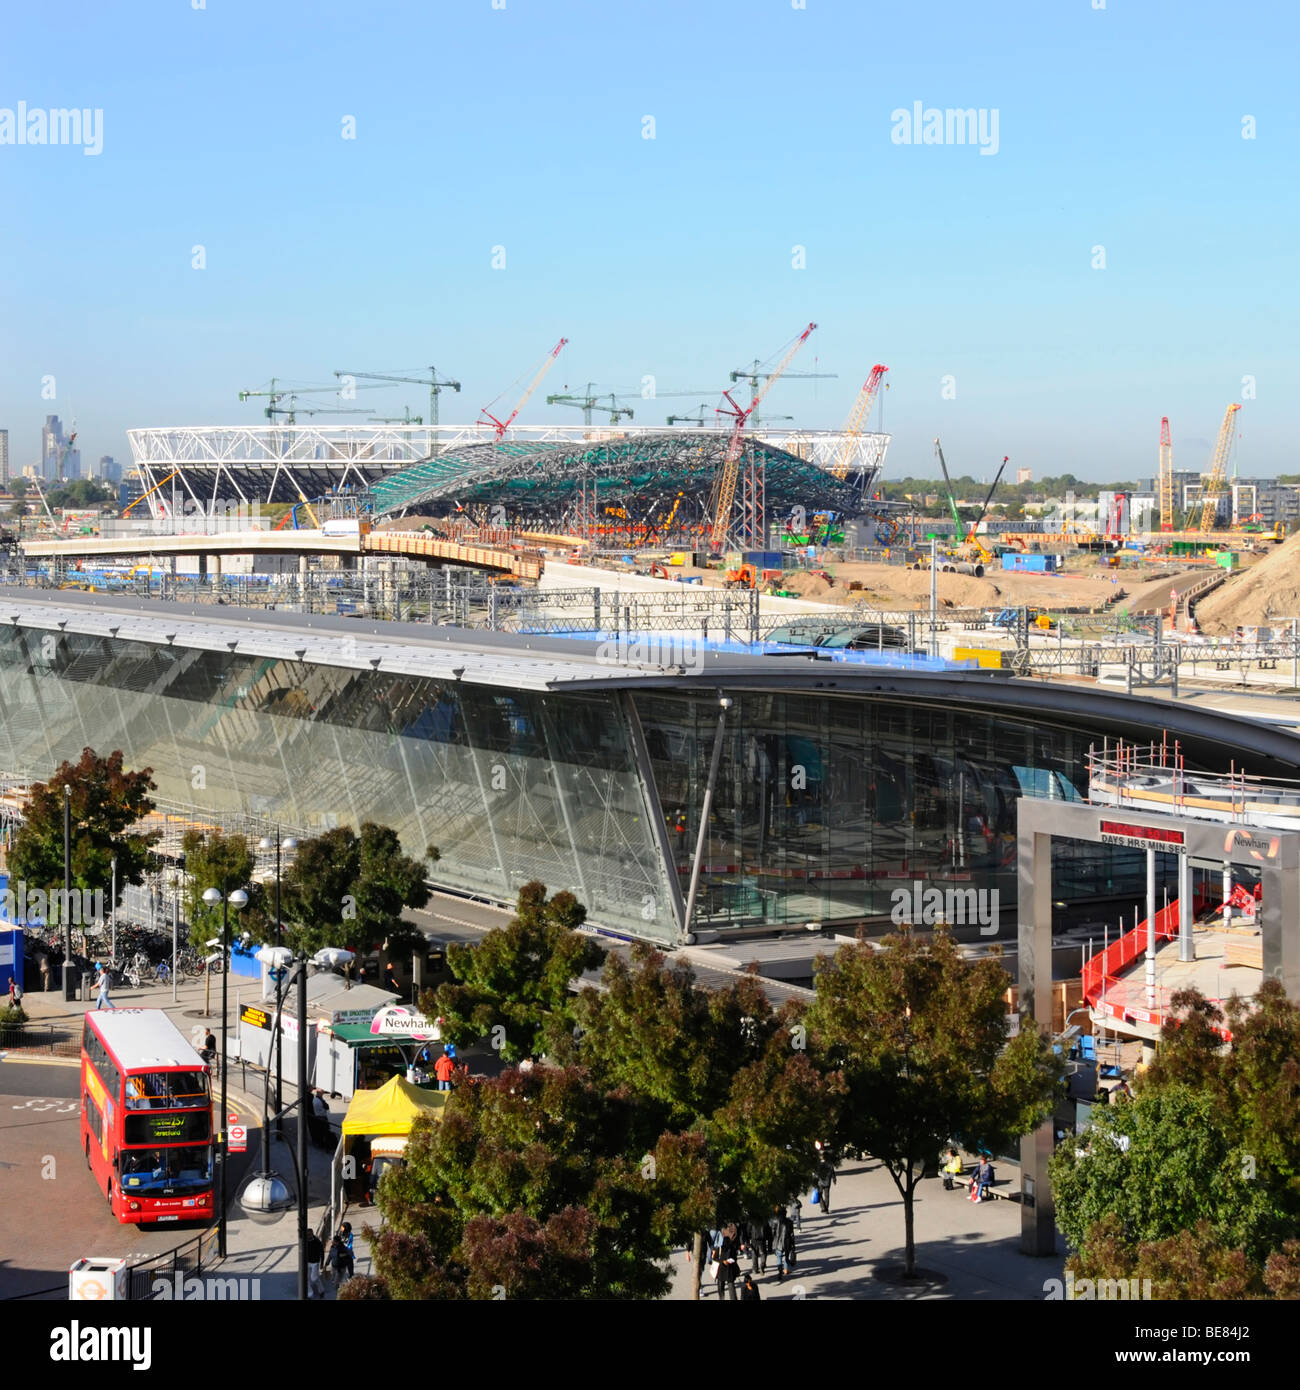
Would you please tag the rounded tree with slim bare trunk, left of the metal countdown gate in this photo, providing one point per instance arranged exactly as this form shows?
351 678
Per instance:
918 1036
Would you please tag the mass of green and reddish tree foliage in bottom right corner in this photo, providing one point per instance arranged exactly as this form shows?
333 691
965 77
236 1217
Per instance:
1196 1182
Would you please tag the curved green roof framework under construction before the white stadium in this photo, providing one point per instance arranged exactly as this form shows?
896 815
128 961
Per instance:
642 475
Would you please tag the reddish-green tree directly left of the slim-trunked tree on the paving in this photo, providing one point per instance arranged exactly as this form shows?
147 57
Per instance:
733 1103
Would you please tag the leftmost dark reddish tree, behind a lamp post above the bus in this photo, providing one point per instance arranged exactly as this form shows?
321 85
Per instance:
106 801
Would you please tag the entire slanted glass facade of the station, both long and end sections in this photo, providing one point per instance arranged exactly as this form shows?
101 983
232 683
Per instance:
825 804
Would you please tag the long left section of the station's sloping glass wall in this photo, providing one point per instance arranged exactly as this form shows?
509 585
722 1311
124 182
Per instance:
510 786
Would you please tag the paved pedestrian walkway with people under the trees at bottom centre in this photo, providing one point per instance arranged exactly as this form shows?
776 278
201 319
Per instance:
973 1246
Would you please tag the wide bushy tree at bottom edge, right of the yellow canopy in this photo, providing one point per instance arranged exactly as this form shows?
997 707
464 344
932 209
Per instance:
526 1186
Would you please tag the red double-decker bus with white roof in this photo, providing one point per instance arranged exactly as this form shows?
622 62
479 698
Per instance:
147 1117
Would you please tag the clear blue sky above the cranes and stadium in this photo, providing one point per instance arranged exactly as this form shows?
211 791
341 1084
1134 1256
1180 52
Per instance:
522 127
